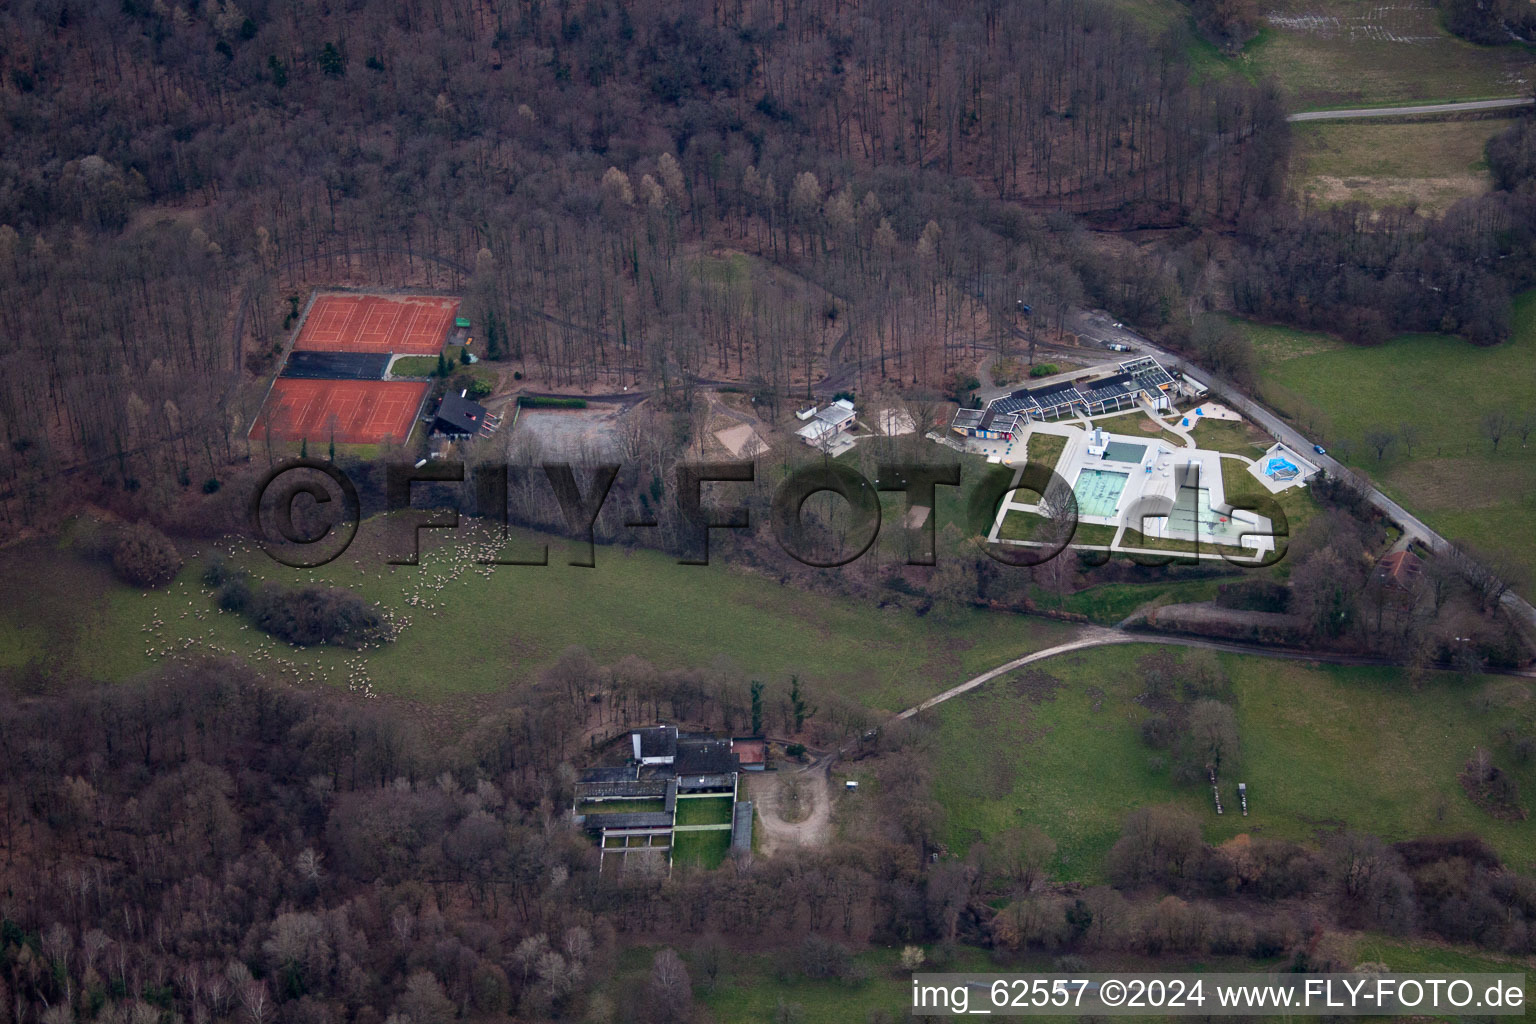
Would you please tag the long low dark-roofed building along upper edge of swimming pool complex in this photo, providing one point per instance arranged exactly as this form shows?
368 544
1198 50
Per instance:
1096 392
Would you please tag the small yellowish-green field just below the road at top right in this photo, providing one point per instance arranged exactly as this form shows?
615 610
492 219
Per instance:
1428 164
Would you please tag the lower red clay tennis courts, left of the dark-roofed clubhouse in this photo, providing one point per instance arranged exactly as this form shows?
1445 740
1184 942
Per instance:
360 412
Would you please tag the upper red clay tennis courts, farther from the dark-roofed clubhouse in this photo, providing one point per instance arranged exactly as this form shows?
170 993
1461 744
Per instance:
417 325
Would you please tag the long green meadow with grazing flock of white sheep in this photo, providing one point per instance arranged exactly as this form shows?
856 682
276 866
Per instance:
478 630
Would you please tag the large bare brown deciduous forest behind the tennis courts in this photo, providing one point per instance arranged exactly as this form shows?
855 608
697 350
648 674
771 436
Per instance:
173 173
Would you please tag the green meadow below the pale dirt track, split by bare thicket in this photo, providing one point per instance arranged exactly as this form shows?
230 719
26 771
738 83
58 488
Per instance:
1070 758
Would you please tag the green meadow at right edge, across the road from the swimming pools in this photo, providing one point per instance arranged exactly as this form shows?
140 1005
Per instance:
1452 478
